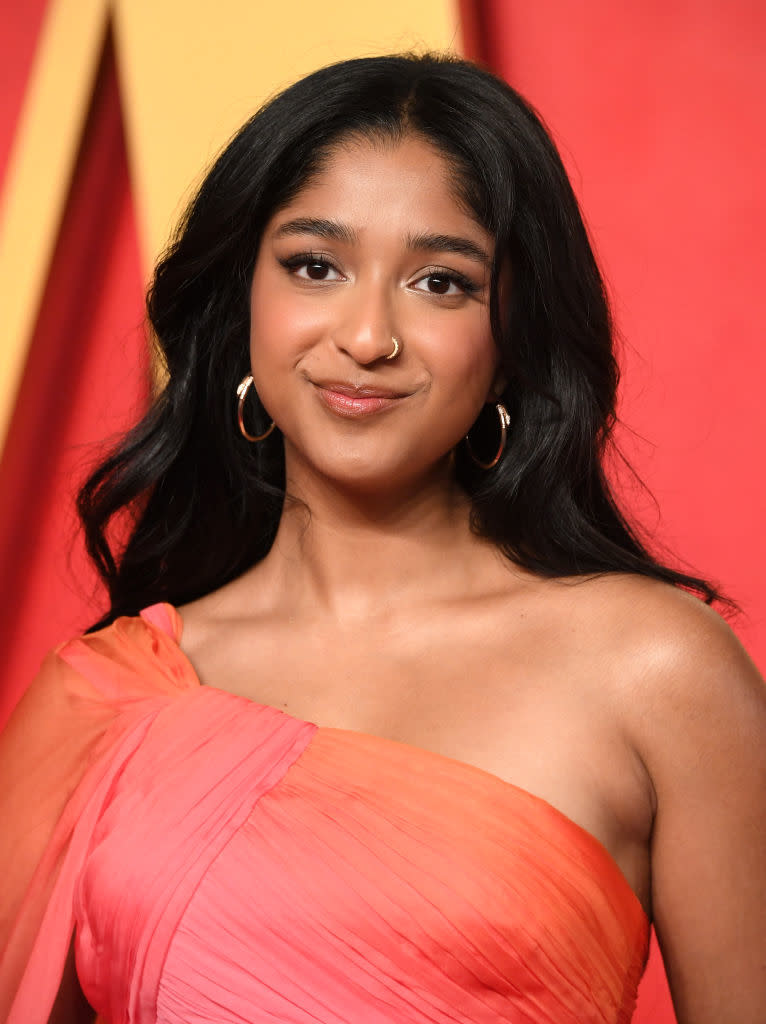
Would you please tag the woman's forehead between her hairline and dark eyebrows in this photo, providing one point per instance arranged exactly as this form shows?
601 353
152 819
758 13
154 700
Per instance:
403 184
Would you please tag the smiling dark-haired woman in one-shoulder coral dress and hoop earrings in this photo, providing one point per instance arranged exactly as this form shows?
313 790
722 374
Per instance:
393 716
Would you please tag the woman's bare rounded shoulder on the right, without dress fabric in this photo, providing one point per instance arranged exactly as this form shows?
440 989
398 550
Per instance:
678 670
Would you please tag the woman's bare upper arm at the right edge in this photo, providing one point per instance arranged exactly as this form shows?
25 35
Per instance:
703 737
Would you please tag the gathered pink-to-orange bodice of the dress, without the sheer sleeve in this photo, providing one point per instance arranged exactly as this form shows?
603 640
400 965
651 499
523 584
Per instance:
250 867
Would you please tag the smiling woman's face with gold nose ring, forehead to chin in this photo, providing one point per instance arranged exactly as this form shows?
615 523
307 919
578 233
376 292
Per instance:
375 247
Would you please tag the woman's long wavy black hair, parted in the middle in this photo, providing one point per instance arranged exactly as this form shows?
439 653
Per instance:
204 504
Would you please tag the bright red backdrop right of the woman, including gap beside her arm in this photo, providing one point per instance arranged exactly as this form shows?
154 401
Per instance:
658 110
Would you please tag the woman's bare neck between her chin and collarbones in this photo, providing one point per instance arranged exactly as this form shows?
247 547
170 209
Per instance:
351 557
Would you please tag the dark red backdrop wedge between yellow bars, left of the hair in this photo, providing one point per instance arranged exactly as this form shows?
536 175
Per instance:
86 379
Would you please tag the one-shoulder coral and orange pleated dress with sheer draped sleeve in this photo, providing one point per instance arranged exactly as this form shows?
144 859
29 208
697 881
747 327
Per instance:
224 863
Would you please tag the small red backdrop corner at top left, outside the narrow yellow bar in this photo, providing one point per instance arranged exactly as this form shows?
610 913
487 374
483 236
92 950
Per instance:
21 32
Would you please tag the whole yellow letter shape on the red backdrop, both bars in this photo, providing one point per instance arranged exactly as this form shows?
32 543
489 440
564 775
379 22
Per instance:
191 72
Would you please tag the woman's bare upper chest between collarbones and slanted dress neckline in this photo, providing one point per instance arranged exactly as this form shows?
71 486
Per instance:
525 703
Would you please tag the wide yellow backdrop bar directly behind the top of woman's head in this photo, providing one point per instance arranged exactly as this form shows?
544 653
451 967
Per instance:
193 73
